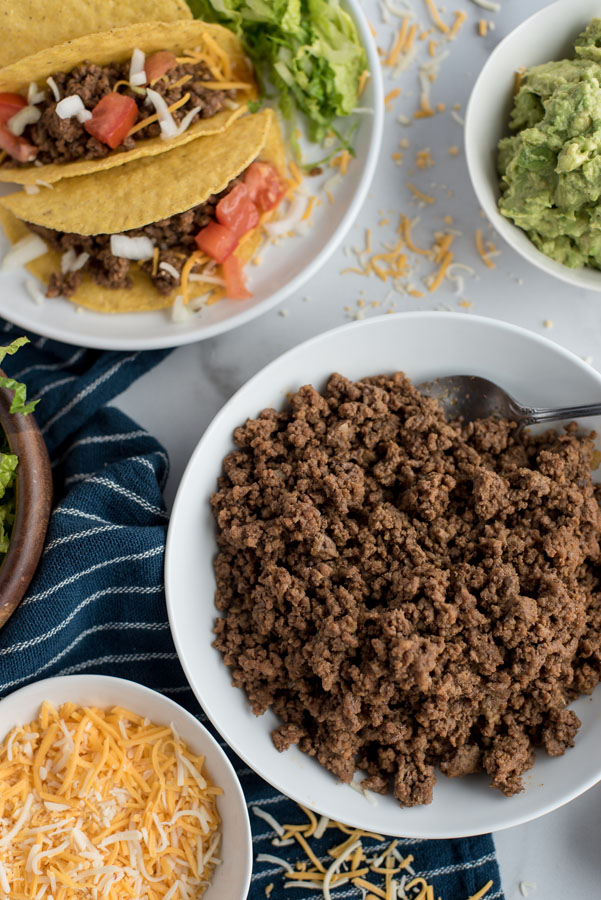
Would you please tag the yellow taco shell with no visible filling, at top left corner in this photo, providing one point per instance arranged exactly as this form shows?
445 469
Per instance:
27 26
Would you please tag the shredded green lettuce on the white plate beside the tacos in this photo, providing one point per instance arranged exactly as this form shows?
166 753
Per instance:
308 49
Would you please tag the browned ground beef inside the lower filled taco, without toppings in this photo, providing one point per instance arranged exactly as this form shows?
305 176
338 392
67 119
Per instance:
173 236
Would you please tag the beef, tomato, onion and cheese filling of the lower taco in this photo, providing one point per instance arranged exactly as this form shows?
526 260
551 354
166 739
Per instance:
199 243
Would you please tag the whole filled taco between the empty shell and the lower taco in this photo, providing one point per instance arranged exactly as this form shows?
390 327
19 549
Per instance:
105 99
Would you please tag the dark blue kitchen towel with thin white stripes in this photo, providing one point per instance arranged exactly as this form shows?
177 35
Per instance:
97 603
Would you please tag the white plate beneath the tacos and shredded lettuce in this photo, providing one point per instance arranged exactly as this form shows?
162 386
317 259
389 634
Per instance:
283 270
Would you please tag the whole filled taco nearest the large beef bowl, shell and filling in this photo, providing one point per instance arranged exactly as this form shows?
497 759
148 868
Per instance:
113 245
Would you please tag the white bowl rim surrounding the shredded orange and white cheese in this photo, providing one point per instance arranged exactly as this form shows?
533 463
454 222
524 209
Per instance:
232 878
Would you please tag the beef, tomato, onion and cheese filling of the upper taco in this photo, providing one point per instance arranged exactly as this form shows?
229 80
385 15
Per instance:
94 110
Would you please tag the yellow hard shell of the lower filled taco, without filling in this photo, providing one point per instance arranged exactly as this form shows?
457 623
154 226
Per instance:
118 200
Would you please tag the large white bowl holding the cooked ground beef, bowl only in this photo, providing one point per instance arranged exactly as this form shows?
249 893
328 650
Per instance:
424 345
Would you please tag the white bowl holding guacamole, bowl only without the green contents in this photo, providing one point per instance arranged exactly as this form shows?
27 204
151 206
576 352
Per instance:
547 35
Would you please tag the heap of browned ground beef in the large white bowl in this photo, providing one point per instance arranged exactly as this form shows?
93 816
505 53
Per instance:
405 592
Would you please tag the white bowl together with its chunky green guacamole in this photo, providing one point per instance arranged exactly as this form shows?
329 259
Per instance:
535 156
